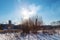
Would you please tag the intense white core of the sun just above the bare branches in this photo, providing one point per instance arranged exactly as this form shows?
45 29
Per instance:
26 13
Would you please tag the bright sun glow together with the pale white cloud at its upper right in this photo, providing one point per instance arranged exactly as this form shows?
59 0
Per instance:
29 11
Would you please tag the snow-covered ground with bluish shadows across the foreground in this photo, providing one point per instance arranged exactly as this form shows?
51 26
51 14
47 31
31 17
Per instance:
40 36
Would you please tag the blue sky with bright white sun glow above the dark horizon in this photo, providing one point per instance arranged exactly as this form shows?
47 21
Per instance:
12 10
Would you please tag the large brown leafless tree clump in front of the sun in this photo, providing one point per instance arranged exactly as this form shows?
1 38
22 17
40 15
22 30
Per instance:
32 24
